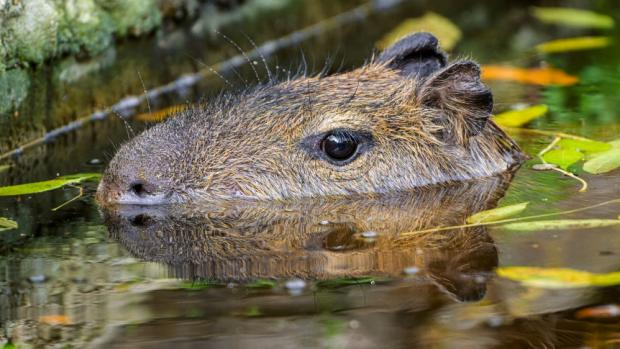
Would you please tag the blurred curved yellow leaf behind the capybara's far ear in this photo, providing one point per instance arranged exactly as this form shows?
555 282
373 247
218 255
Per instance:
446 31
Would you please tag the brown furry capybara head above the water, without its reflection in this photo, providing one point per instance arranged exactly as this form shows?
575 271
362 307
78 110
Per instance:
407 119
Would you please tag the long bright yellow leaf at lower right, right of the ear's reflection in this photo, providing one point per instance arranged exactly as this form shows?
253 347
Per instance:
557 277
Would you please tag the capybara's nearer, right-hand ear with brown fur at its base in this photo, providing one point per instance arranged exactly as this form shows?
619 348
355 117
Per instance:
462 102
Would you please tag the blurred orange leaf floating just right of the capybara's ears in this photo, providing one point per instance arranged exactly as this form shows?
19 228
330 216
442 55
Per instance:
536 76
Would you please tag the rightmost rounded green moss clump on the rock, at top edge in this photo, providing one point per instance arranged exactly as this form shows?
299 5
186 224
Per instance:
132 17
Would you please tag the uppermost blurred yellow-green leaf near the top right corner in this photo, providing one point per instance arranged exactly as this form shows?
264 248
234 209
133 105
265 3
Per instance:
572 17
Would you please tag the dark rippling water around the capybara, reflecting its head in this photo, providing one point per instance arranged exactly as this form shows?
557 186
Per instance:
310 274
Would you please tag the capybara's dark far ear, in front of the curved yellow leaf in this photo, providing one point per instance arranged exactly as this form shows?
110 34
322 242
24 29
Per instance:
416 56
